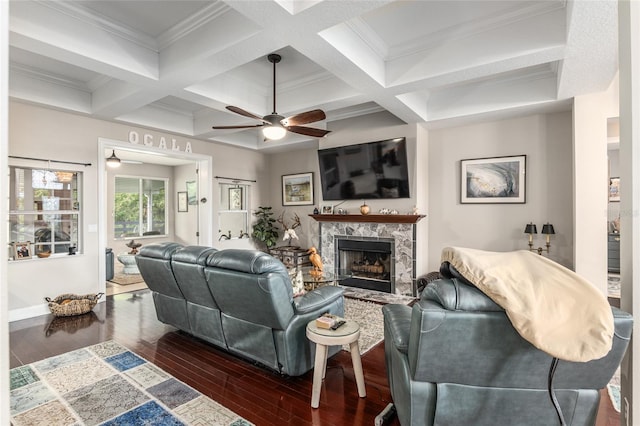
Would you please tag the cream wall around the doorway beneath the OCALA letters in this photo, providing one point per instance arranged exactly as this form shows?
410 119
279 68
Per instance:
49 134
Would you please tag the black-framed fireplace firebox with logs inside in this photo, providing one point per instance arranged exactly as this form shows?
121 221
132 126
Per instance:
369 262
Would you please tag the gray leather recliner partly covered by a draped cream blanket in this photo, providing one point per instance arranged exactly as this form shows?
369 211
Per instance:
455 359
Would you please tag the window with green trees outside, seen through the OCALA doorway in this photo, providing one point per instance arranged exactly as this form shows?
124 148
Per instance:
139 207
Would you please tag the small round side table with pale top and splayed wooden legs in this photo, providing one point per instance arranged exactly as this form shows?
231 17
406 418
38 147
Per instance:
348 333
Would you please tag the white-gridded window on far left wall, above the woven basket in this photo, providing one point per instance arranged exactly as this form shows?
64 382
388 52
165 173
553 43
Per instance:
44 209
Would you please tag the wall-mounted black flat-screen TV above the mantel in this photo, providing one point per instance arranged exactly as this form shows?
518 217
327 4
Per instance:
365 171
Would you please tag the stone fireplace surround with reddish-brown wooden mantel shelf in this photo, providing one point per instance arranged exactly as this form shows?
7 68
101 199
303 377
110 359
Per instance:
400 228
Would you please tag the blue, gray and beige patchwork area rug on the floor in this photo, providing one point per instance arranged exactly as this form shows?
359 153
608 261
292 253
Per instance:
106 384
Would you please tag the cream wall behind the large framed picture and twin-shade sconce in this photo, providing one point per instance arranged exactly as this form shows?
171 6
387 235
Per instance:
546 141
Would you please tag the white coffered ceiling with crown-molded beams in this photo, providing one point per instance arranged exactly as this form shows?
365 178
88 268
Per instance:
173 65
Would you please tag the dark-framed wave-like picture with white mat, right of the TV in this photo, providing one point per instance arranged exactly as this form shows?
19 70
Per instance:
496 180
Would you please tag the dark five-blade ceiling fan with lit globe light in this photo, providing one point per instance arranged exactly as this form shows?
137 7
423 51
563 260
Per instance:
275 126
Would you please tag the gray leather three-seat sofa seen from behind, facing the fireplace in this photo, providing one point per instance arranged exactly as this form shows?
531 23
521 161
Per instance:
238 300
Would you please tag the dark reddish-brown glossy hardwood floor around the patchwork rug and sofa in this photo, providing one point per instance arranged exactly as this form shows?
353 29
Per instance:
258 395
